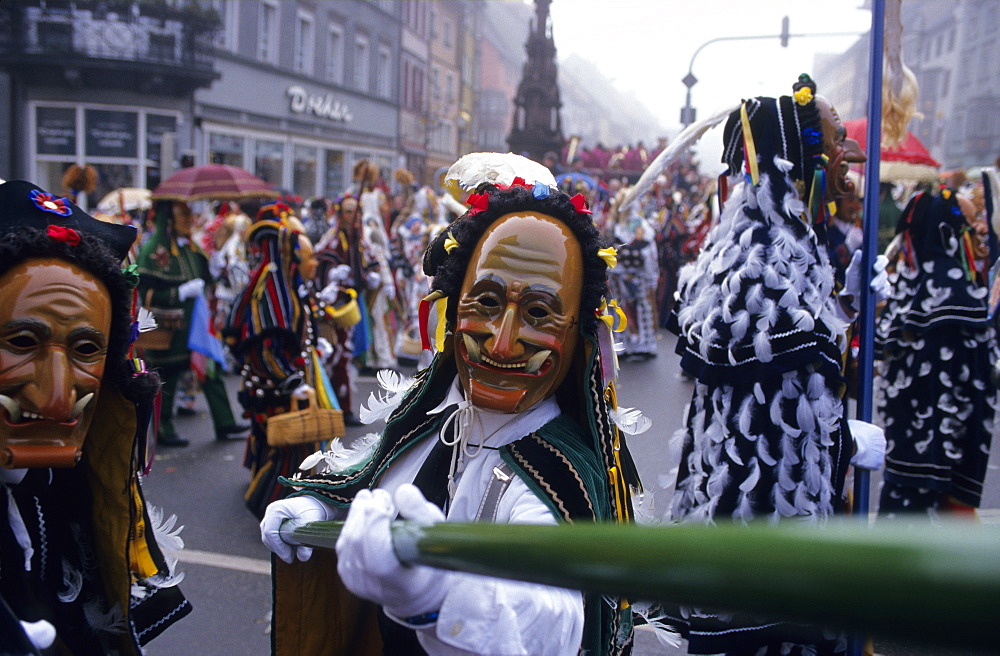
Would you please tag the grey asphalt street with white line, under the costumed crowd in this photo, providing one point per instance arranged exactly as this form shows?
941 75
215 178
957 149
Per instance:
226 567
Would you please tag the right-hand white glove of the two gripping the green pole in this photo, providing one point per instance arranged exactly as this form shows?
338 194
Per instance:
367 562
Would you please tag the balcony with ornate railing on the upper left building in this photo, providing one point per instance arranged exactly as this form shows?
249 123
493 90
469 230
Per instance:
145 46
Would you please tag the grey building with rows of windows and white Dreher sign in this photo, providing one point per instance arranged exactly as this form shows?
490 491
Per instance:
305 89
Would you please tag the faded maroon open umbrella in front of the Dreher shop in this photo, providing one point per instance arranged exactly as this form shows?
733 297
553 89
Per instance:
213 182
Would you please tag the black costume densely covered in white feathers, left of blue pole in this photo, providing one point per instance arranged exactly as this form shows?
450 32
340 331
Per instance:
760 331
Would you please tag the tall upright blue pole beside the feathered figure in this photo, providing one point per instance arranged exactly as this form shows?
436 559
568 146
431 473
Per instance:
866 320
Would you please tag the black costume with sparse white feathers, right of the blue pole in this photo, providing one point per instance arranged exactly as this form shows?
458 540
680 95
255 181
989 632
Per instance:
937 351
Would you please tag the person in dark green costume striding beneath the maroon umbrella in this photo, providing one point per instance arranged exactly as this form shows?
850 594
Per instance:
173 271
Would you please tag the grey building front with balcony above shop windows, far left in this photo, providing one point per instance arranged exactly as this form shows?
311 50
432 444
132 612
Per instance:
110 85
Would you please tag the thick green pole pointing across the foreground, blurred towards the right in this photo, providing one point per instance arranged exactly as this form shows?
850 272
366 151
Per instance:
926 584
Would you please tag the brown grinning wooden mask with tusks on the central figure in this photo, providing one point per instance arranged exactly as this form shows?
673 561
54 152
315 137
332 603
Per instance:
518 312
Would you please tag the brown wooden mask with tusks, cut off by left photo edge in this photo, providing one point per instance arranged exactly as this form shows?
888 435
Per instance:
54 324
